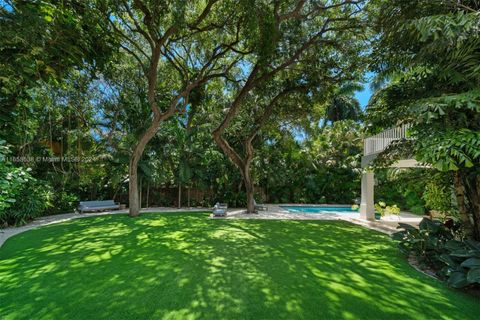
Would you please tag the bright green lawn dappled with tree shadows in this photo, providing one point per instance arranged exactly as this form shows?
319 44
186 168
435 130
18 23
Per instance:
185 266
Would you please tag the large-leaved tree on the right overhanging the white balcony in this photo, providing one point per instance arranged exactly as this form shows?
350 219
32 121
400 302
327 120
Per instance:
428 53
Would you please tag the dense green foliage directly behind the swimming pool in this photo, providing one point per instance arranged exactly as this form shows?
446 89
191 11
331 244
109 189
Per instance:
312 168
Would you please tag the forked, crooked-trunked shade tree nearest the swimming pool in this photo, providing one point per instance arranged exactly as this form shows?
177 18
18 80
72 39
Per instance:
286 35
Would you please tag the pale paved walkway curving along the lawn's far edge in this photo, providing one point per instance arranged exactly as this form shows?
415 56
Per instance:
275 212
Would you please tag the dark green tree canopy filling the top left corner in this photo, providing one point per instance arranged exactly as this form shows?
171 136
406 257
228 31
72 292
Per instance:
41 42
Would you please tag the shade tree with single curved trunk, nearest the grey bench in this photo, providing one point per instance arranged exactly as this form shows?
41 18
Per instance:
179 47
